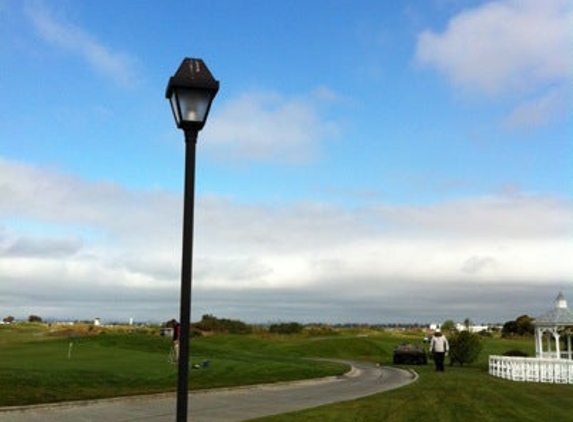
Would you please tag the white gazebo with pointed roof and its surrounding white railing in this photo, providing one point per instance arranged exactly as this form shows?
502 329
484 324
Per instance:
554 359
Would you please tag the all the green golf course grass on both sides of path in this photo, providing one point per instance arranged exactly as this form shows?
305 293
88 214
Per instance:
34 368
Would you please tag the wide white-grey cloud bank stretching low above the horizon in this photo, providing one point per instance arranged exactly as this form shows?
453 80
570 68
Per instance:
388 262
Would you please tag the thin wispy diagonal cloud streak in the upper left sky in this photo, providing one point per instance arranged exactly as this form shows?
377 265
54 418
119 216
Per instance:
116 65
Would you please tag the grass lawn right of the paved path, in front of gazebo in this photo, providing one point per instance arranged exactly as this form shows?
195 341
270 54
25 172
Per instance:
458 395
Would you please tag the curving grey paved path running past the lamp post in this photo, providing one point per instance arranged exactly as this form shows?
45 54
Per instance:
223 405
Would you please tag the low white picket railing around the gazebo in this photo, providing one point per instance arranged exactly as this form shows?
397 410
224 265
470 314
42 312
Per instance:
558 371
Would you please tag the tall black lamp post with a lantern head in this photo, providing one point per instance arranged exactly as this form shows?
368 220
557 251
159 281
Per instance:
190 92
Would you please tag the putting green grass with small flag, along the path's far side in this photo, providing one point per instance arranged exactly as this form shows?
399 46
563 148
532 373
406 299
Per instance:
36 366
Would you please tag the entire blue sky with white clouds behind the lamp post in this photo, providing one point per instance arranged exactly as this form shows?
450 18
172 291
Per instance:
364 161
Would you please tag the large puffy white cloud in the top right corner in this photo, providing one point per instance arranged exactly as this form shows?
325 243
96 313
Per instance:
503 46
